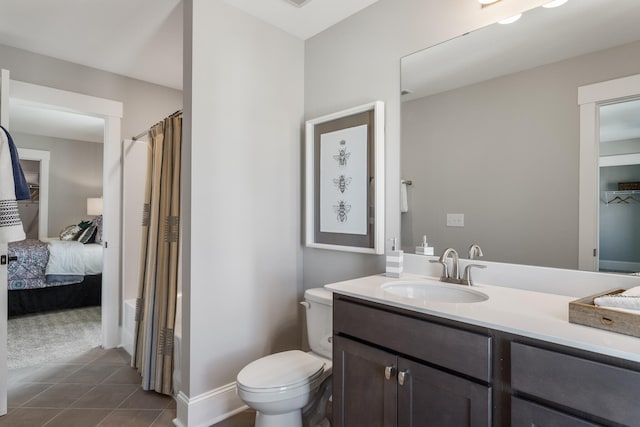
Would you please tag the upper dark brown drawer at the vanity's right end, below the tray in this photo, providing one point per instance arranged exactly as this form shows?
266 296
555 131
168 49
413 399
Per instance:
606 391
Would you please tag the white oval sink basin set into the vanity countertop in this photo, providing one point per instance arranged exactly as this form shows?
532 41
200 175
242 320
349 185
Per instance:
433 291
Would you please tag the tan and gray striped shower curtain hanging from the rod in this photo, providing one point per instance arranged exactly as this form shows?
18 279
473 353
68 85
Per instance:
156 303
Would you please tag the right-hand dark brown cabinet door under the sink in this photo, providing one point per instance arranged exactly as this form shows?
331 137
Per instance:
429 397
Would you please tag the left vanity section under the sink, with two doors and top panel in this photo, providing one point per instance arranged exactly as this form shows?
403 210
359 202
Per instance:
391 369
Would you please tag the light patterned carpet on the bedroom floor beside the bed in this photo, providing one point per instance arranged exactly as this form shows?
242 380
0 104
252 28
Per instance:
35 339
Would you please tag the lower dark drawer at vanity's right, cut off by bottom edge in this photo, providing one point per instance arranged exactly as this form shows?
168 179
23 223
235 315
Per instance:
528 414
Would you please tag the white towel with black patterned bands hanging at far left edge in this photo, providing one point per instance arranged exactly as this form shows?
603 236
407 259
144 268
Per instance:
11 229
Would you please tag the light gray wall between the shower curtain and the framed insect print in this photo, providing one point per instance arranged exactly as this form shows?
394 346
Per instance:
241 193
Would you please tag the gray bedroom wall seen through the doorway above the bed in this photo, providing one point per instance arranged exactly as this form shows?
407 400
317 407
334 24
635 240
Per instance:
75 173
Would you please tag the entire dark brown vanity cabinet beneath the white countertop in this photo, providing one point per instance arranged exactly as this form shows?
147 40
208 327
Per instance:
395 367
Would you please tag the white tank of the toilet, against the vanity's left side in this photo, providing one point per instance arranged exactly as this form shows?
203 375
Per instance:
319 309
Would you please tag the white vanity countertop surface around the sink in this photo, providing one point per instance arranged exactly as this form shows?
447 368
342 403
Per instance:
532 314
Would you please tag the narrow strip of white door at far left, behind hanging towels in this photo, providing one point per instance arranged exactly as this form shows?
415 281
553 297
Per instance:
4 121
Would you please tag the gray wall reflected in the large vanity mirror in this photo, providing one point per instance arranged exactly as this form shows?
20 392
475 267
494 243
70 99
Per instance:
505 153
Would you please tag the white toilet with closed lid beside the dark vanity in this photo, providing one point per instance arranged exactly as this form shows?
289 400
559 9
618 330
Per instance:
292 388
